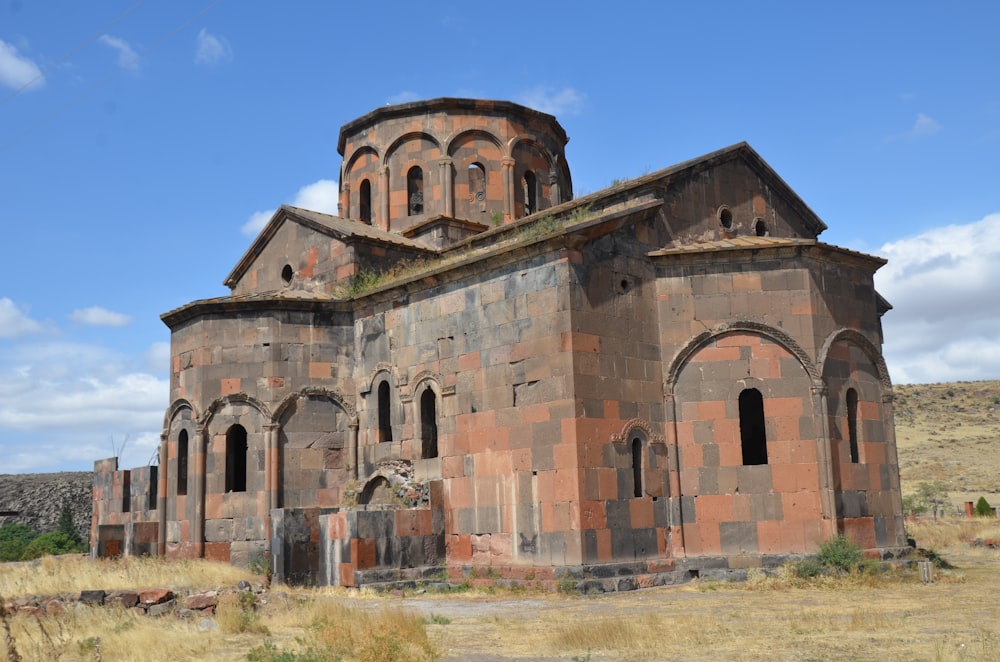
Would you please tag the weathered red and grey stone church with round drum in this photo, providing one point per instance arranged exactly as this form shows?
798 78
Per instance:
469 372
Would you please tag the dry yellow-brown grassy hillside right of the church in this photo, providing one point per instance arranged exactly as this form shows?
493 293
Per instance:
950 432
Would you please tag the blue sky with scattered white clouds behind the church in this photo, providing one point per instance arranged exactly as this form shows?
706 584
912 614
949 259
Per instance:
141 143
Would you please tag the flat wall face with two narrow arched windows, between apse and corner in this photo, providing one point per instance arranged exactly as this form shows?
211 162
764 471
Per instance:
494 350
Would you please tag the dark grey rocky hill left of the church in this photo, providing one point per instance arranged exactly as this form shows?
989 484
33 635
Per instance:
38 499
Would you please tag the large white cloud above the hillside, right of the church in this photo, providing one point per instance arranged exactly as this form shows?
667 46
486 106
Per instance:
942 283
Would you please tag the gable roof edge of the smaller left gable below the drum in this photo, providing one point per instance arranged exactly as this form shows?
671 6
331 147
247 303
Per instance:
333 226
